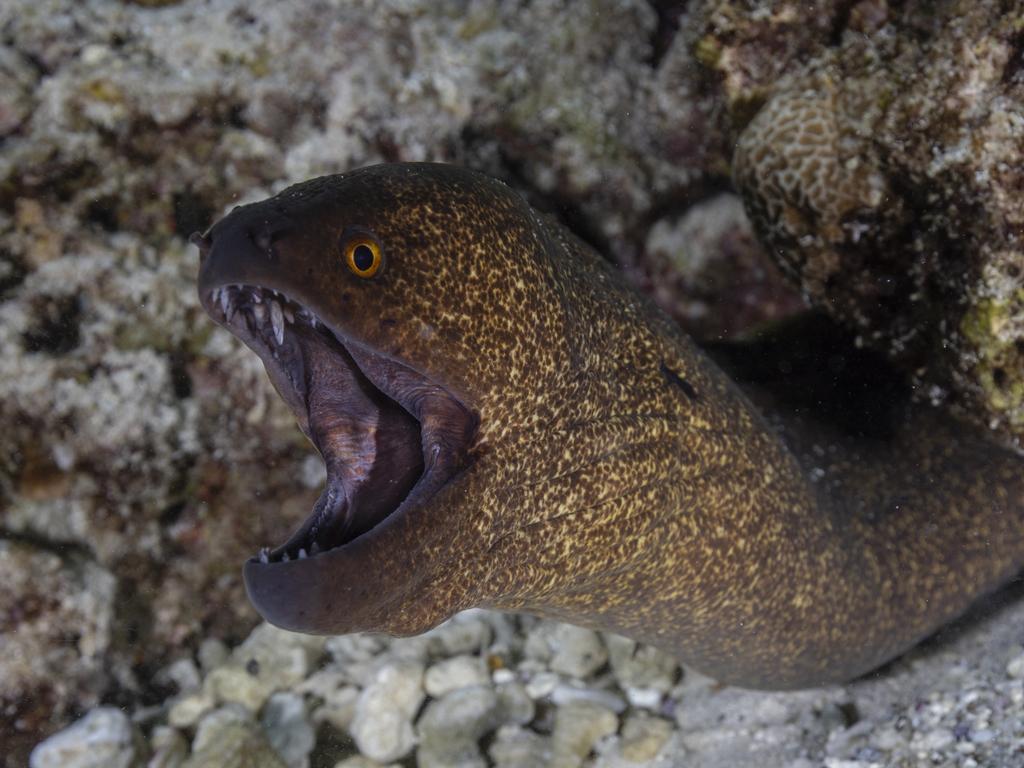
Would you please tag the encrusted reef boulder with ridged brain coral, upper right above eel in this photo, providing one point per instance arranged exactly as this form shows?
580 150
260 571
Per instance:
886 179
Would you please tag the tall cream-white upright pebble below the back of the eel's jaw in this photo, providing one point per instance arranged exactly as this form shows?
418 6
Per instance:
382 726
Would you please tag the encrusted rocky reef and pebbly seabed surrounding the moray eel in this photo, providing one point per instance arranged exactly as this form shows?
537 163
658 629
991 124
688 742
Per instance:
144 455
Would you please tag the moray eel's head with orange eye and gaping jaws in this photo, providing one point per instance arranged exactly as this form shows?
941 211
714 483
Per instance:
379 304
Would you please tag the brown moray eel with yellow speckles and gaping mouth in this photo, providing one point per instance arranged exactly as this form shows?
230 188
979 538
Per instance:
506 424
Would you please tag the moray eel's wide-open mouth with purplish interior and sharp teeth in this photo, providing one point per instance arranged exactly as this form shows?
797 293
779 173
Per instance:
390 437
